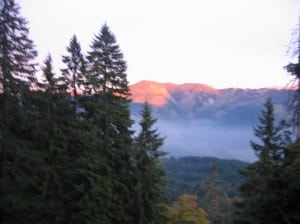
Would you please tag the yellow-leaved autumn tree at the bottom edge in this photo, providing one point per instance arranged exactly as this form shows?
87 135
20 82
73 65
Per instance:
186 211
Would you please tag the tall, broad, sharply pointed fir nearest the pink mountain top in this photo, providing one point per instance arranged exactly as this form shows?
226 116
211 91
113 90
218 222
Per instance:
109 110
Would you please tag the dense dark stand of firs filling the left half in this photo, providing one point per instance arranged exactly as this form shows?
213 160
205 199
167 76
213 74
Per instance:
68 154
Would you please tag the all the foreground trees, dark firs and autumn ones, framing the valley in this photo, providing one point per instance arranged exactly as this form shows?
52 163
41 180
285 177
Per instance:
68 153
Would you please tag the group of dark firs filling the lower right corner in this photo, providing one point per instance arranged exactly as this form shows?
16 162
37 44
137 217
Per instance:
270 191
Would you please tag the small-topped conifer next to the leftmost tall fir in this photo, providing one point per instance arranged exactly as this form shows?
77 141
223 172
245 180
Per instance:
51 143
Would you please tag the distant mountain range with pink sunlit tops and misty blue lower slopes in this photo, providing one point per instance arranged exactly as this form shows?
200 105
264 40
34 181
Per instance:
199 120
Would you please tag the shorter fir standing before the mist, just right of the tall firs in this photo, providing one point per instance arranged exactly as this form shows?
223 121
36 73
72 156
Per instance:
149 189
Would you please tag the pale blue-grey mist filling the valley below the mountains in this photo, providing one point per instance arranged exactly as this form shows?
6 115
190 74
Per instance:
205 138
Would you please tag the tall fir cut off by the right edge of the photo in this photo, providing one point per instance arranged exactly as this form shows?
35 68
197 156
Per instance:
290 175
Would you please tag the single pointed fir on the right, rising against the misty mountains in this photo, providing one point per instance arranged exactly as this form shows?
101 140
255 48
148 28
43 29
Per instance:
261 190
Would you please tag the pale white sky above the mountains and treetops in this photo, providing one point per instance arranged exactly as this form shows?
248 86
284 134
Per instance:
222 43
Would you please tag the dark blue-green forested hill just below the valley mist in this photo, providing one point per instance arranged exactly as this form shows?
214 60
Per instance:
186 175
